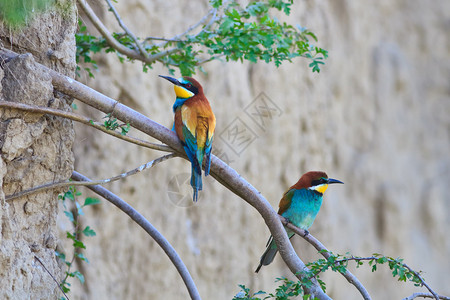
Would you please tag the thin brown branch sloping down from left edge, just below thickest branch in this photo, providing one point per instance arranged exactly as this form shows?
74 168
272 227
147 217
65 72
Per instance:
84 120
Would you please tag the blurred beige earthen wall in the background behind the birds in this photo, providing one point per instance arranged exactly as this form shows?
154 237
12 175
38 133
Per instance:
376 117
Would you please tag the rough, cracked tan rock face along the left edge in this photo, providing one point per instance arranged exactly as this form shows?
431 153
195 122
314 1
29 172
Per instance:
35 149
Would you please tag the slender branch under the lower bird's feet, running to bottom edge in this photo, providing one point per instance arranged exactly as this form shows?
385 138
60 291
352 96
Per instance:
324 251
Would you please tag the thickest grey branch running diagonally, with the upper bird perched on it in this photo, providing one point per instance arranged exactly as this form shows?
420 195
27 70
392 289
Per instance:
219 170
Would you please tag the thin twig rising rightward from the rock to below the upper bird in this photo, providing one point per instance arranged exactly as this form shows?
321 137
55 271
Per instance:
65 183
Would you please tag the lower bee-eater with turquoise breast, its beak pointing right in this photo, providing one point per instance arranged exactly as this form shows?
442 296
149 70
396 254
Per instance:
299 205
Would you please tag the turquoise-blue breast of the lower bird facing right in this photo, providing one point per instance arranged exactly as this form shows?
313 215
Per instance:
305 205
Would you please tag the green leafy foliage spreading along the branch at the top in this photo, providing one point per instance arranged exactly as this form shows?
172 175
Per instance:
234 33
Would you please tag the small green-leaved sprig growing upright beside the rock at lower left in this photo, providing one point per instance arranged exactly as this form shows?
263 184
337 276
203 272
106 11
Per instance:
70 197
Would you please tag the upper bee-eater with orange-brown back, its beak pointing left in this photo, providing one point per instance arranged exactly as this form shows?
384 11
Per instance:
194 125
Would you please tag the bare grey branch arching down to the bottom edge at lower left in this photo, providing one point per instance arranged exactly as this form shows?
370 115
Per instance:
150 229
